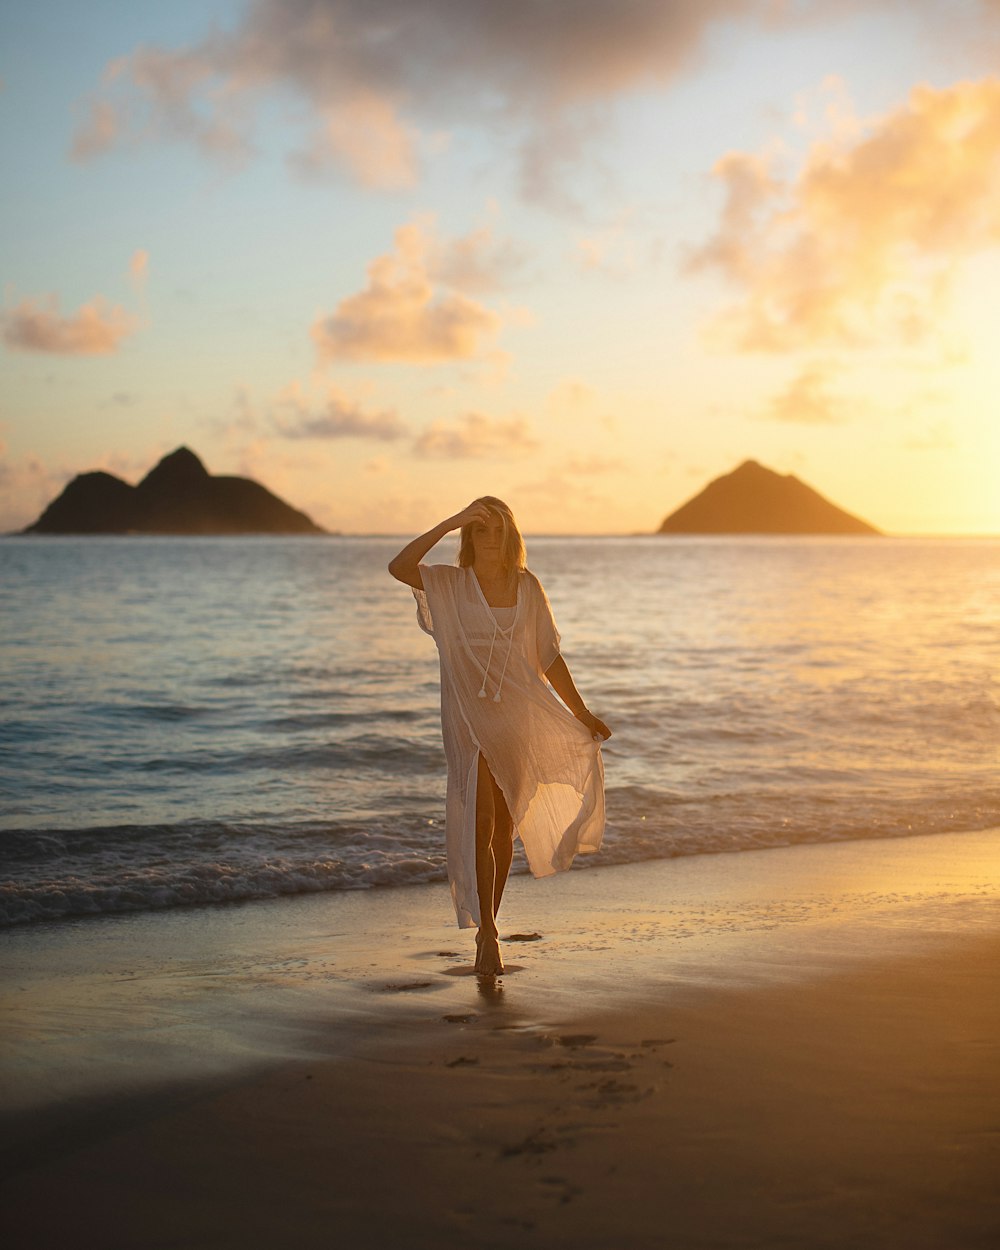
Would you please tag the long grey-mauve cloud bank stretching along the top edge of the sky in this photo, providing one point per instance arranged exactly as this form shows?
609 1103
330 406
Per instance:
377 76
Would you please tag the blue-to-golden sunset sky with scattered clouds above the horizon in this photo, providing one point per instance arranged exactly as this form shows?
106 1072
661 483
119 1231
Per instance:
389 256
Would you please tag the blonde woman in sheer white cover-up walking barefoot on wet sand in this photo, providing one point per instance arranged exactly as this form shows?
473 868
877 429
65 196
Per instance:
518 761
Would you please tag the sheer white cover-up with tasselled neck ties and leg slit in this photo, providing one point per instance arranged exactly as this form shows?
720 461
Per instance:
543 758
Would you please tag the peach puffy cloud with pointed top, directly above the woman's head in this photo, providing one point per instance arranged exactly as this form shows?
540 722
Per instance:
402 317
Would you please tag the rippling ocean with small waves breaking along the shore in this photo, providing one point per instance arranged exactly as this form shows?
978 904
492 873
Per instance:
196 722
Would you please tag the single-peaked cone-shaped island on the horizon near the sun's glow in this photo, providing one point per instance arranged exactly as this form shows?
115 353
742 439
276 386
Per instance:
757 501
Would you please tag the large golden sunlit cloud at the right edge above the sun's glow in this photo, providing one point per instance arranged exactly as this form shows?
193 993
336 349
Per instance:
859 247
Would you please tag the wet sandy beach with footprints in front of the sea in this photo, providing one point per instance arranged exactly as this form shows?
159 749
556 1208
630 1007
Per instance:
794 1047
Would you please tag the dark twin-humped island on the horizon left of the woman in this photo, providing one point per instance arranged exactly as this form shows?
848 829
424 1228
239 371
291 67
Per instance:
178 497
